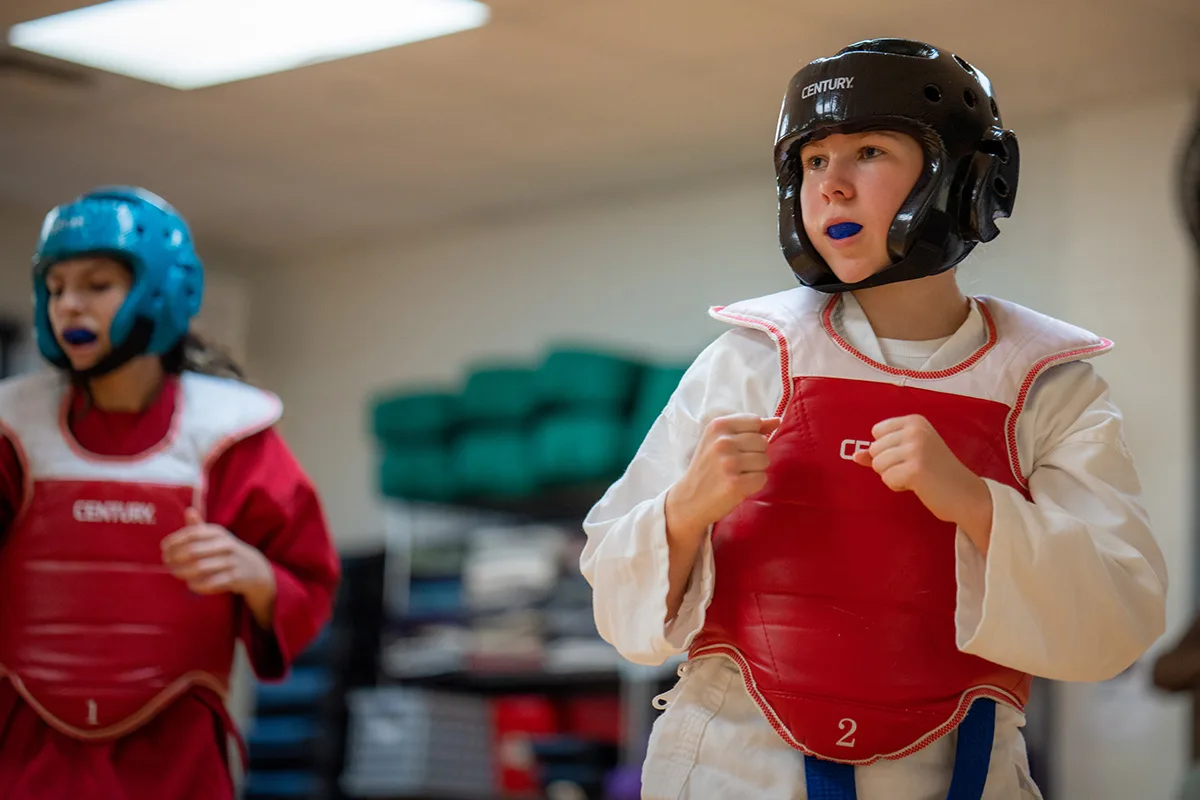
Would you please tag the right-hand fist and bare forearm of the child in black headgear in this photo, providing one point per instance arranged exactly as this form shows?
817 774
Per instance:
910 456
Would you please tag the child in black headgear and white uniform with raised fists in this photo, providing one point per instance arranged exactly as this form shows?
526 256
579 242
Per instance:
877 508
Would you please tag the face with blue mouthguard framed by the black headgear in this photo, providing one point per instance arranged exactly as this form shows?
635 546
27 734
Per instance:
851 181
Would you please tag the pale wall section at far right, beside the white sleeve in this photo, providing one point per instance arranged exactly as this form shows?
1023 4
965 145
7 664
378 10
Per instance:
1130 272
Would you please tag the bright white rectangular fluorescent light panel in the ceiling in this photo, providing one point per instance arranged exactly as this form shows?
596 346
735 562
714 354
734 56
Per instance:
193 44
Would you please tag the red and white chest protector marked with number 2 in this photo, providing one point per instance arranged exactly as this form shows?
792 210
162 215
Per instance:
837 597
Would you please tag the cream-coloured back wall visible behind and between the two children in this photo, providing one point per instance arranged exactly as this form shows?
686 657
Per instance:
1097 240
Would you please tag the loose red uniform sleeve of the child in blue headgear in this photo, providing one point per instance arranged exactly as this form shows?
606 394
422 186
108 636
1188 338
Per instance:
259 491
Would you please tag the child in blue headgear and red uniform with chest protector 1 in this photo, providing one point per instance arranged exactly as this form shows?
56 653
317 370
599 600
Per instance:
151 518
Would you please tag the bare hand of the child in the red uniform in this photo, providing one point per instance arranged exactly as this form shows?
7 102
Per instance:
212 561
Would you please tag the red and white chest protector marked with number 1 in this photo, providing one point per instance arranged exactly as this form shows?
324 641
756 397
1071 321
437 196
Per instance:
95 634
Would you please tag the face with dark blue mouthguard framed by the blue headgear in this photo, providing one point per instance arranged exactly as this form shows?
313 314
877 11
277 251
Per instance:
86 296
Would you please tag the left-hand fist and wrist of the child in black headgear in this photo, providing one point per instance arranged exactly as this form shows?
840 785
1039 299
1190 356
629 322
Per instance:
730 466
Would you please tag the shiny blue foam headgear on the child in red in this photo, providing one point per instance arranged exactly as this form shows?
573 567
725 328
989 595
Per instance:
142 231
